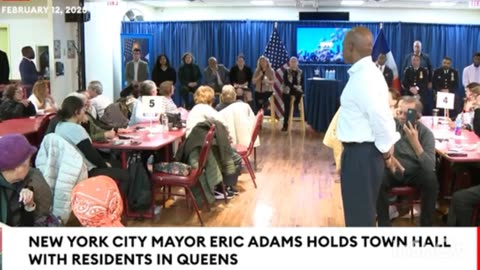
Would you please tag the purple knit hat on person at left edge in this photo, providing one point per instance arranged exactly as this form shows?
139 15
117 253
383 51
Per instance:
14 150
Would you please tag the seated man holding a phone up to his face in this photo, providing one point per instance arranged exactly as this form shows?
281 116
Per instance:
416 152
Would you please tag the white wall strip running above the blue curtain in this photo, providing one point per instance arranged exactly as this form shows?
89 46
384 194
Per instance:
291 14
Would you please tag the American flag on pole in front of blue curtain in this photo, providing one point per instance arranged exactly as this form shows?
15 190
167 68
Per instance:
278 56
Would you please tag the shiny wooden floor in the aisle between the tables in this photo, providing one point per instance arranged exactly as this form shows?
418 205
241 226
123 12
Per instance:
296 188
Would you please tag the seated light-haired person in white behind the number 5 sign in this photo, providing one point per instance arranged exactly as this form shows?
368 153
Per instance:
147 88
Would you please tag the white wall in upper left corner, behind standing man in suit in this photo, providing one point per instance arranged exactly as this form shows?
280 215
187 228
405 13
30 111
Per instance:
24 30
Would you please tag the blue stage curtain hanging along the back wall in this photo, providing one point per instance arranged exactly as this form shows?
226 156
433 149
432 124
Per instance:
226 39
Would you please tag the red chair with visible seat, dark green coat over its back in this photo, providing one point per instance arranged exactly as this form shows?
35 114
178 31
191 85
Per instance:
165 180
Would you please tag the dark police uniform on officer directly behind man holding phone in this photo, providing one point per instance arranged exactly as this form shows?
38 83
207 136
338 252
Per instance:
419 79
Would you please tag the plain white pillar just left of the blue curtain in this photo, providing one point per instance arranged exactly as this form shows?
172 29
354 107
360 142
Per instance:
102 43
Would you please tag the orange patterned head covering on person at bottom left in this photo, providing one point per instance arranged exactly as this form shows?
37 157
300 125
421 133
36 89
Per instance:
97 202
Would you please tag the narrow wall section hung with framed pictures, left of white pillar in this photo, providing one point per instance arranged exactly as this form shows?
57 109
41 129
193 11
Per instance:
67 83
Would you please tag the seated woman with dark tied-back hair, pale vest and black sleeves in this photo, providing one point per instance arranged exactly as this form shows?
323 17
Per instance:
71 115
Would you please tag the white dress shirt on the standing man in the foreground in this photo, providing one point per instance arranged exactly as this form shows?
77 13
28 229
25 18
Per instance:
365 115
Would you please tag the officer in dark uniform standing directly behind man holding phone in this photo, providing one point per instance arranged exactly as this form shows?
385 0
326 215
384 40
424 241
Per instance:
415 82
